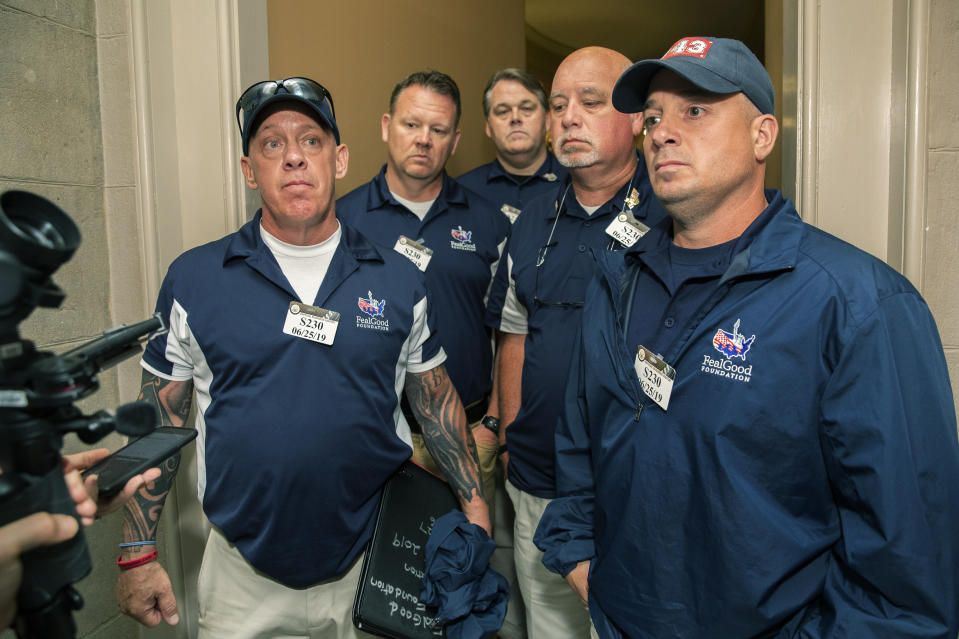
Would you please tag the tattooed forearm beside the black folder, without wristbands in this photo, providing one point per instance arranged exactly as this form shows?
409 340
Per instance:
440 412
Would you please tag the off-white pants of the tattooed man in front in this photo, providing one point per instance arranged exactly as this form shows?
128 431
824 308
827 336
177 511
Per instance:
239 602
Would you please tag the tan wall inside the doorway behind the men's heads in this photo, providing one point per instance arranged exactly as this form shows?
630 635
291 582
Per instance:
359 50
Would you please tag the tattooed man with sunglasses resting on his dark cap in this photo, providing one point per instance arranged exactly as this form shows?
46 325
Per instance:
297 335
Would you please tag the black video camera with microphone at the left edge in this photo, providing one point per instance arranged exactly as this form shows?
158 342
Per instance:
37 394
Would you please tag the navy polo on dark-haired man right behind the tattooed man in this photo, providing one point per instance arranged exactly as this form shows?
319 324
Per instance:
467 236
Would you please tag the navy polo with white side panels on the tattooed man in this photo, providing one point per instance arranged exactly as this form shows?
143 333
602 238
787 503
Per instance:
296 438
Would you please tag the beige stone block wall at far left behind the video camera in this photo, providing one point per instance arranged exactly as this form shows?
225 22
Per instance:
66 134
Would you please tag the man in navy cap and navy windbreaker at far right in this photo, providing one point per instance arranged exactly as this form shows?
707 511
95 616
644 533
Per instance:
759 436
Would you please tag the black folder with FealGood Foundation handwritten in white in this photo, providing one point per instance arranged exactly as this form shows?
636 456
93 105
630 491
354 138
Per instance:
387 599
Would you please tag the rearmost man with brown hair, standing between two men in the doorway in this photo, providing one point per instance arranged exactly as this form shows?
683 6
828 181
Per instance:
514 103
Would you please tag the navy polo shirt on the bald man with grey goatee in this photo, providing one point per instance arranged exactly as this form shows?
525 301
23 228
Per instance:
551 297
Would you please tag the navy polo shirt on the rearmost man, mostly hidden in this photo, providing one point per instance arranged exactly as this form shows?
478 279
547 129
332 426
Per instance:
502 188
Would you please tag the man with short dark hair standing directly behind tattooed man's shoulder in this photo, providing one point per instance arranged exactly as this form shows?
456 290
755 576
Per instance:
413 208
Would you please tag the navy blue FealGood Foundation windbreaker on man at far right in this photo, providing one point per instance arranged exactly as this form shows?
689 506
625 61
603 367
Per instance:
805 486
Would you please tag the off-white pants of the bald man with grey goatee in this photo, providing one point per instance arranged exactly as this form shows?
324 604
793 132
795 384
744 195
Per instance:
553 610
